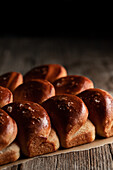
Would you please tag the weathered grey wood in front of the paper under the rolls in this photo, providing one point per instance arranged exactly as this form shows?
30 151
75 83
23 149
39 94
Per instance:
97 158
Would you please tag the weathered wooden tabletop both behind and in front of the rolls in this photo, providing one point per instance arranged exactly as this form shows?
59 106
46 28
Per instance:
93 59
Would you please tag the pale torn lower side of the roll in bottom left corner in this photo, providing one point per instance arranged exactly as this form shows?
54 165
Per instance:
10 154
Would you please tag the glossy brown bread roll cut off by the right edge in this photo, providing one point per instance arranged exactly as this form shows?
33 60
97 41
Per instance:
100 106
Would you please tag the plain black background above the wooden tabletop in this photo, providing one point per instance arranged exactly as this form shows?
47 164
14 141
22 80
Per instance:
65 20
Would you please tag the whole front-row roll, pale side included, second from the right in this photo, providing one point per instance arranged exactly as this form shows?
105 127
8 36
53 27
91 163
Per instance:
69 114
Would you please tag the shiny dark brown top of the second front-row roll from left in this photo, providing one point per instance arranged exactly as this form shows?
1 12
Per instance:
30 117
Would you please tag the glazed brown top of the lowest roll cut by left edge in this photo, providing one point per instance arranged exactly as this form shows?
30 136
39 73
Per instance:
8 129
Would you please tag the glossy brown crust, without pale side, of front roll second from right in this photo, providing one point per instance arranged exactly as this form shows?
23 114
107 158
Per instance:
68 113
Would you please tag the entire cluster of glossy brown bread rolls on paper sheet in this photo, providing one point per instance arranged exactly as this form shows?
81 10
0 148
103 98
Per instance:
45 109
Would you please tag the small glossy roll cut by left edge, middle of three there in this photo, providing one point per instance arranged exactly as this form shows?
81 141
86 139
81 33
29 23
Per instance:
5 96
